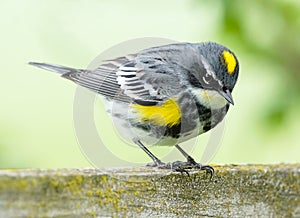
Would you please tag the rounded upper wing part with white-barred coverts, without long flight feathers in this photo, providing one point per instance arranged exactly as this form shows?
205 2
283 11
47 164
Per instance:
149 79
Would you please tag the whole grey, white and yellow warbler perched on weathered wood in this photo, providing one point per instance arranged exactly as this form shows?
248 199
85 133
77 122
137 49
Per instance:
164 95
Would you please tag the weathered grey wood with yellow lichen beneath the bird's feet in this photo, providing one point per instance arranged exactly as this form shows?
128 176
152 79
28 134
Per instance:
234 191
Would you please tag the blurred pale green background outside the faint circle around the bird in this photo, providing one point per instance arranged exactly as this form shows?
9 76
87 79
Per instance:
36 126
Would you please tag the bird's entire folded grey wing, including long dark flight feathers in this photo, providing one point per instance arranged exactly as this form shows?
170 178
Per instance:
146 78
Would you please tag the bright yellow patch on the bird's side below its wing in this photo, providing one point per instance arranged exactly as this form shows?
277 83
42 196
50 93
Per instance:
167 114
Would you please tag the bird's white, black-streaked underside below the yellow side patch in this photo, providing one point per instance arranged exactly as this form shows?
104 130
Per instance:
129 127
